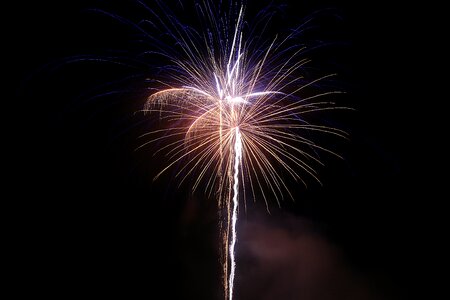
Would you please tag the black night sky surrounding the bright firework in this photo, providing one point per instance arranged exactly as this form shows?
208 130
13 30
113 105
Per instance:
90 221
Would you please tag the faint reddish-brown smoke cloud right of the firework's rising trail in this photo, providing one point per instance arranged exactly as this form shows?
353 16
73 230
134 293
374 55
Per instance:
283 258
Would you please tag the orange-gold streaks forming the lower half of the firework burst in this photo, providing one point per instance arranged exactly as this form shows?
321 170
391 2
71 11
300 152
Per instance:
271 132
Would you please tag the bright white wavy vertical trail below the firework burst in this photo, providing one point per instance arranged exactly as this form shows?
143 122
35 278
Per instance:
237 158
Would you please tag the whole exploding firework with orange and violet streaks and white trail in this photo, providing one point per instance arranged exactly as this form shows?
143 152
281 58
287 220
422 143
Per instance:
238 114
